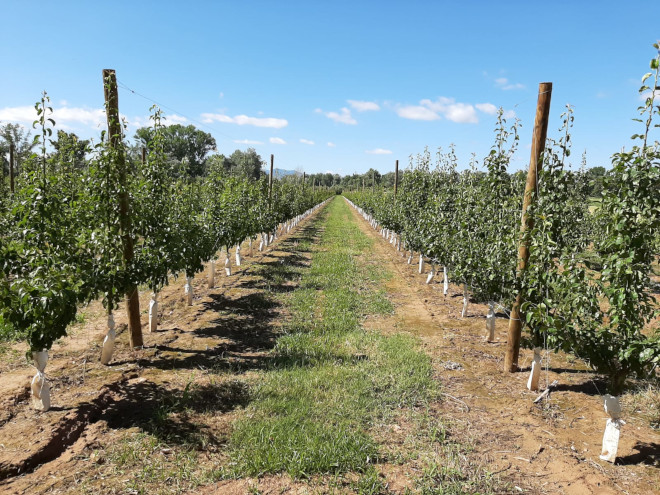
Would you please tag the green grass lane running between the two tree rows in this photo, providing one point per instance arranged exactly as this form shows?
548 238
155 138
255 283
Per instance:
332 382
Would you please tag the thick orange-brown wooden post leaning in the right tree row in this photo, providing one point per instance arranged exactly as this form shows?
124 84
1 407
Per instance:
527 223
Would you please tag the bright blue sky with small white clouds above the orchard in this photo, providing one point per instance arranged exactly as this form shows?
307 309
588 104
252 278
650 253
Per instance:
337 86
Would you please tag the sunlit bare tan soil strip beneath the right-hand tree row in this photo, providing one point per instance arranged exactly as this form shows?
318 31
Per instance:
553 448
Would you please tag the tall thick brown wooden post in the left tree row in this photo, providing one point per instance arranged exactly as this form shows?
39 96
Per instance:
114 131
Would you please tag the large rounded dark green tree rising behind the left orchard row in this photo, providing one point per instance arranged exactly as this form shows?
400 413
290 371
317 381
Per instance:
187 144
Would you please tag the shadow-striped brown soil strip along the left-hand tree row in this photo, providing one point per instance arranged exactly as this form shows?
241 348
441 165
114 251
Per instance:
199 350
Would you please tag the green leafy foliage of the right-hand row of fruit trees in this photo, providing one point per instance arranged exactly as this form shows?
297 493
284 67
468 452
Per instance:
469 221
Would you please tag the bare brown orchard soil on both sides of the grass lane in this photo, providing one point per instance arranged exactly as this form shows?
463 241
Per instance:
157 420
